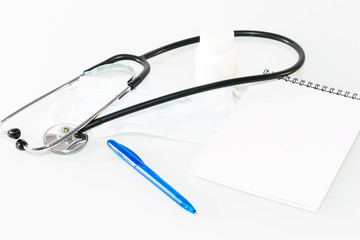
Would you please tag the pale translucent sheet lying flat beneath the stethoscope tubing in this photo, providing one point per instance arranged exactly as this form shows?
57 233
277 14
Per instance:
192 119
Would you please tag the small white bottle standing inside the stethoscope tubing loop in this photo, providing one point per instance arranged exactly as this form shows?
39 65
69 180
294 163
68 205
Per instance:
216 55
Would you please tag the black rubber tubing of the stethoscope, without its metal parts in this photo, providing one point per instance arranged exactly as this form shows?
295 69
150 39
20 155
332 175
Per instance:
133 83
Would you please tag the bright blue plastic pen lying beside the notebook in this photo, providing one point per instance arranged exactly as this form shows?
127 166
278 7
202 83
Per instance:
135 161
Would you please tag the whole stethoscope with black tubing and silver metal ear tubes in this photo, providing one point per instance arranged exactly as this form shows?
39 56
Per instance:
67 138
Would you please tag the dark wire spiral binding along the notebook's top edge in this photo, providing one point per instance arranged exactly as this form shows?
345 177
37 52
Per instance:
317 86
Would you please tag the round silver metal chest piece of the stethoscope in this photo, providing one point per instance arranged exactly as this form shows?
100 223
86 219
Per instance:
71 144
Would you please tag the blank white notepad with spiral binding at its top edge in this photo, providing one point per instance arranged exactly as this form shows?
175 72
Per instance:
285 141
